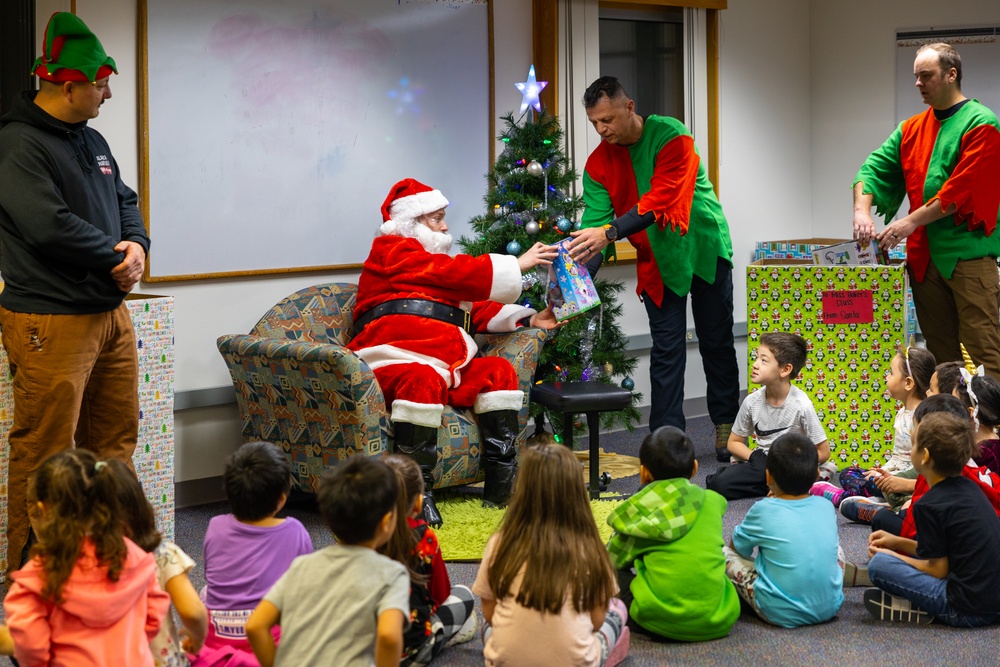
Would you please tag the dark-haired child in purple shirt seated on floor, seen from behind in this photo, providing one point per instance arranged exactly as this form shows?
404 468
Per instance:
246 551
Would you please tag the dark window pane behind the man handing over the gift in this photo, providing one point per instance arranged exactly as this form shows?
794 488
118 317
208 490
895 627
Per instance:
644 49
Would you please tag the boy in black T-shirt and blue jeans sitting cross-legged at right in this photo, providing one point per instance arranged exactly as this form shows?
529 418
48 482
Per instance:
950 574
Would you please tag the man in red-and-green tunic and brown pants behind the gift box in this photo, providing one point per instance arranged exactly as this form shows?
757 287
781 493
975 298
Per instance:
946 160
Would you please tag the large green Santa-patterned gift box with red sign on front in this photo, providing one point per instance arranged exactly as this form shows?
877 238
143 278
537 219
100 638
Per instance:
852 319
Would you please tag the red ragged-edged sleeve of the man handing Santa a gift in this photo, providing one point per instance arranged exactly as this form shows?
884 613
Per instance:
672 186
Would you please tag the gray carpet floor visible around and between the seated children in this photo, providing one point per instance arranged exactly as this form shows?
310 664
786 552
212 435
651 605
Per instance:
853 638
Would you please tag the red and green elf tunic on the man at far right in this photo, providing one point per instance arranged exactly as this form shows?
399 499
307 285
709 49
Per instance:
955 161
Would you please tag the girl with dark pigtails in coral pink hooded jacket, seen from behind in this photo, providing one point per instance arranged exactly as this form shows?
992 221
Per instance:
88 596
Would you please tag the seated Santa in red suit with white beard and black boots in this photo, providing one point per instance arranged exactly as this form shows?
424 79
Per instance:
417 310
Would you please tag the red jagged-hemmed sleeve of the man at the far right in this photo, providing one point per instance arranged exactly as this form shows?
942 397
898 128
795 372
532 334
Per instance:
972 186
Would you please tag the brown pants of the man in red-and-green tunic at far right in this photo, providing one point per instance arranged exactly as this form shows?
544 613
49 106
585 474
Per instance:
964 308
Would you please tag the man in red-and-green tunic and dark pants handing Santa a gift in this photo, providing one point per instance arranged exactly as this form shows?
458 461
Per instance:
645 182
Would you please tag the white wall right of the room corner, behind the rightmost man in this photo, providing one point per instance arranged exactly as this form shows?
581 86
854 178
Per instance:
853 62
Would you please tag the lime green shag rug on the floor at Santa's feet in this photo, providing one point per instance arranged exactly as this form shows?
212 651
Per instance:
468 525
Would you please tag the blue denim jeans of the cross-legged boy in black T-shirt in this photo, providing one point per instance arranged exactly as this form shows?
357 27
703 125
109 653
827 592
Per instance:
925 591
